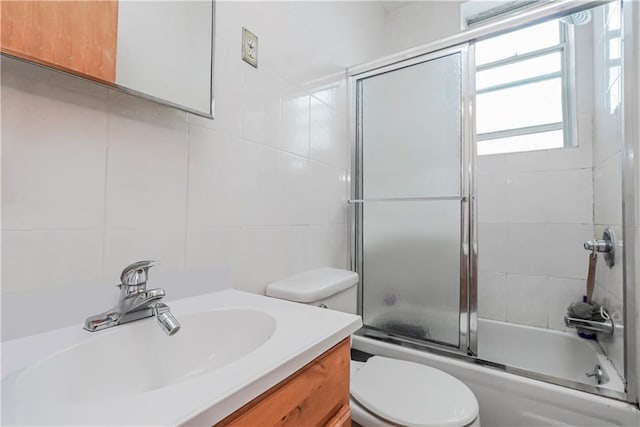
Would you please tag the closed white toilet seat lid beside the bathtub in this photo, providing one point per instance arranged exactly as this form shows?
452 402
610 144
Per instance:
411 394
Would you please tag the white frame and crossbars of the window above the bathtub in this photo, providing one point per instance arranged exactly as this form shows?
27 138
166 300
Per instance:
567 78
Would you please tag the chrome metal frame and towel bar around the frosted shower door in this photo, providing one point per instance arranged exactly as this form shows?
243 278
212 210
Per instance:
467 338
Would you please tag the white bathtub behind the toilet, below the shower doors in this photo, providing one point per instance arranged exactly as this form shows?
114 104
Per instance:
508 399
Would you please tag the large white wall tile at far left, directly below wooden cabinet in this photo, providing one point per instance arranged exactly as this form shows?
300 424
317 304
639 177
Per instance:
63 137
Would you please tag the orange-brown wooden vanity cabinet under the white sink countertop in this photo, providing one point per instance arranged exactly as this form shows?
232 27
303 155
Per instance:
316 395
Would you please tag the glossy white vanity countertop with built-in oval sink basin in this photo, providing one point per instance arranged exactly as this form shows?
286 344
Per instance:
232 347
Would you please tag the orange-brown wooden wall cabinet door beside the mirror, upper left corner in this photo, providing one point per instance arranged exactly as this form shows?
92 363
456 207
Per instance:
77 36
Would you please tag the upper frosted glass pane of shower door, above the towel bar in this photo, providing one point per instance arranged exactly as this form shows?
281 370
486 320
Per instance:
410 128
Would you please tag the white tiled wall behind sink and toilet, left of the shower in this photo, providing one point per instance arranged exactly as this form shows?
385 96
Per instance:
94 179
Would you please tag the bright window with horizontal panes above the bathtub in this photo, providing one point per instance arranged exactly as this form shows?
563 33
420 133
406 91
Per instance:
522 100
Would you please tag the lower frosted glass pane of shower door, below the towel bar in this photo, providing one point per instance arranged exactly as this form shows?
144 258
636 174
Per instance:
411 269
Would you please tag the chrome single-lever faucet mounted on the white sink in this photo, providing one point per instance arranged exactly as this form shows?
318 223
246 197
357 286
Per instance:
136 302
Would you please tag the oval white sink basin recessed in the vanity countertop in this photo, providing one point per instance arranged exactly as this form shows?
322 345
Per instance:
138 357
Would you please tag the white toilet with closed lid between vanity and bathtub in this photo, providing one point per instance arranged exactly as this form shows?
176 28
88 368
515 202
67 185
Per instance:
384 391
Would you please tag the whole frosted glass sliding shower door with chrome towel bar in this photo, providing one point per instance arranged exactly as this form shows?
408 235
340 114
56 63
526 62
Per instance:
412 200
